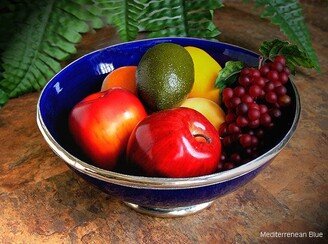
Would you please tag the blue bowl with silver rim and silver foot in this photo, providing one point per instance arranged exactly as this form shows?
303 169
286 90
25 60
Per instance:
157 196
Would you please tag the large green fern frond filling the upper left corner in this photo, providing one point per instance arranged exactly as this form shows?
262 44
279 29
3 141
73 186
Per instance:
47 36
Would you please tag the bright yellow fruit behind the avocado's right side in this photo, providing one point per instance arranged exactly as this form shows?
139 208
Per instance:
206 72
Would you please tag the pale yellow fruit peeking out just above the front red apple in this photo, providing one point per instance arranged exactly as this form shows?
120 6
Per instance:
211 110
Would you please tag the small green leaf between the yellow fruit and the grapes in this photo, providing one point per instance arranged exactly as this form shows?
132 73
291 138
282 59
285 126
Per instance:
228 75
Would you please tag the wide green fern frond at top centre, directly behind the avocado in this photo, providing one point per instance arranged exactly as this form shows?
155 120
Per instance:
180 18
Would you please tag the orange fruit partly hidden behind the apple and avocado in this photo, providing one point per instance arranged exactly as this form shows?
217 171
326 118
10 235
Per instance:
124 77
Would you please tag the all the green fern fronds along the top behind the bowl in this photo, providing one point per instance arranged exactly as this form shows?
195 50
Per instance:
35 36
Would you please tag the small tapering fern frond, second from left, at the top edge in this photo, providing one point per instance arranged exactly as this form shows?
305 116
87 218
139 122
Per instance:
124 14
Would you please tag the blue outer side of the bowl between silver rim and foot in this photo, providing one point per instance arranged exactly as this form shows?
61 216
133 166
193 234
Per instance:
166 198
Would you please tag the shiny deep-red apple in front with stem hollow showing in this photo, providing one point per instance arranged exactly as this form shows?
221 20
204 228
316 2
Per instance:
165 144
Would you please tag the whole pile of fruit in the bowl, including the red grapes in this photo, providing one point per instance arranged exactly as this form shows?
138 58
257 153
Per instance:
179 114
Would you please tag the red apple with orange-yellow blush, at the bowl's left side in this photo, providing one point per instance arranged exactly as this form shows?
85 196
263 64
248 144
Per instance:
101 124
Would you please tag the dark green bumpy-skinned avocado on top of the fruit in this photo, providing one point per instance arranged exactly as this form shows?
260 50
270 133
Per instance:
165 76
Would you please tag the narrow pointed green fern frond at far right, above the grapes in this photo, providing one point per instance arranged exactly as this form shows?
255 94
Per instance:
287 14
